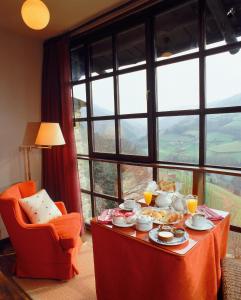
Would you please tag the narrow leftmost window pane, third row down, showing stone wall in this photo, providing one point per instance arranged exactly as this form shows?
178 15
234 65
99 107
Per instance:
81 138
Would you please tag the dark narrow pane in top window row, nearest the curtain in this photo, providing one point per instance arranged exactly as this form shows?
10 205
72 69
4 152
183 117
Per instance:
78 63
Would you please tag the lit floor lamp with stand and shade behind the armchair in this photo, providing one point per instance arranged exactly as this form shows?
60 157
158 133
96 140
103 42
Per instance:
40 136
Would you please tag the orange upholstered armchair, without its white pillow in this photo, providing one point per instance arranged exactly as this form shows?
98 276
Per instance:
42 250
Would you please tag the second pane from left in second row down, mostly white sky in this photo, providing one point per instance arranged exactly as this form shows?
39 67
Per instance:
103 97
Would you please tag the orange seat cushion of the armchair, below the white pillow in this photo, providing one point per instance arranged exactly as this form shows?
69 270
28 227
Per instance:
68 229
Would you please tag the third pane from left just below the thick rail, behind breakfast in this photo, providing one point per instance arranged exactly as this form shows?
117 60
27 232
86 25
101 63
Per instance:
134 180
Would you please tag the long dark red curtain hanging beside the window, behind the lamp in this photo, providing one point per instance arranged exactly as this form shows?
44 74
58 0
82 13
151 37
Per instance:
60 176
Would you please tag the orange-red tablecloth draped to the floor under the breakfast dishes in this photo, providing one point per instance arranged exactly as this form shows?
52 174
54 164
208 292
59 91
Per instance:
129 267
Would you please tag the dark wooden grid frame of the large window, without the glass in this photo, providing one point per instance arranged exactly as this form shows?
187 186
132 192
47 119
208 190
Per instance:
147 18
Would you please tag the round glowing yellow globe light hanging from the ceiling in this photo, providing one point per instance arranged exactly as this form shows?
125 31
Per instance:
35 14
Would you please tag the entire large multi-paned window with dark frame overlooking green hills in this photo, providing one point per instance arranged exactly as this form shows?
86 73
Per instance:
162 88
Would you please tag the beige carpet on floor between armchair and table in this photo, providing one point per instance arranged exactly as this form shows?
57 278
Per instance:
81 287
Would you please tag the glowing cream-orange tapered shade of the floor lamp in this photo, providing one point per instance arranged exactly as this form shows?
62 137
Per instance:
49 134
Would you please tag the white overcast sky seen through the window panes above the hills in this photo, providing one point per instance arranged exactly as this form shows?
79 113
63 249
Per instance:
177 86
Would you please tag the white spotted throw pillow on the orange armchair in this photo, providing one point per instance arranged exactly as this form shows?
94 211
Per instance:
40 208
